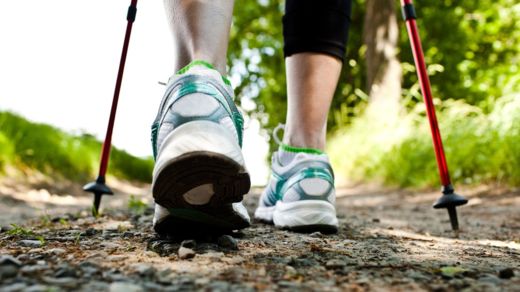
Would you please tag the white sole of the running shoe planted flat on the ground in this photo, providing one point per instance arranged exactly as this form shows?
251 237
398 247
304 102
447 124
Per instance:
302 216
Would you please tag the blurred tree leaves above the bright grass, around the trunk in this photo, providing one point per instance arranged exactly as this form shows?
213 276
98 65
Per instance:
471 48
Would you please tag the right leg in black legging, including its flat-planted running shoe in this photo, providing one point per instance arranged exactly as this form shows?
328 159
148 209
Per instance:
300 195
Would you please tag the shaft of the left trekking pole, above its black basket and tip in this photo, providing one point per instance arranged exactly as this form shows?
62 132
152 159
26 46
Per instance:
105 152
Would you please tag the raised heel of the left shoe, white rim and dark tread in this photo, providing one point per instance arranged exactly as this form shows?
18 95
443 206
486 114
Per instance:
200 165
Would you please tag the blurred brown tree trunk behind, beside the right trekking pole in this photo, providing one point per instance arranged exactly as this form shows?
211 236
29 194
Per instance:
383 68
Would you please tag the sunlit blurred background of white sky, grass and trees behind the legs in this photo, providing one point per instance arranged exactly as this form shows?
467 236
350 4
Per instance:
59 59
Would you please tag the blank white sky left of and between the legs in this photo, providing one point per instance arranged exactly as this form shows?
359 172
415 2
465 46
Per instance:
58 65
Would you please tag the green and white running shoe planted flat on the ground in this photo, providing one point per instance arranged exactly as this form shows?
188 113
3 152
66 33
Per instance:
300 195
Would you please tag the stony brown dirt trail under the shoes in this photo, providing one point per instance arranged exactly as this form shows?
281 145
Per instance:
388 240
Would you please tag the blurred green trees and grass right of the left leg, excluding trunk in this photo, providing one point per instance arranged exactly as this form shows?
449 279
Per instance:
472 51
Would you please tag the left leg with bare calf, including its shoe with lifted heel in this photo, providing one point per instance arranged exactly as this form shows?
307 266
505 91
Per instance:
199 174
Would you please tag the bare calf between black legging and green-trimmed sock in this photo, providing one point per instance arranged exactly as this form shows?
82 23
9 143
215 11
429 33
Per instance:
311 82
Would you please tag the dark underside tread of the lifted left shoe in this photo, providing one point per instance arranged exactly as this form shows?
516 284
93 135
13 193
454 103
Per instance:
188 171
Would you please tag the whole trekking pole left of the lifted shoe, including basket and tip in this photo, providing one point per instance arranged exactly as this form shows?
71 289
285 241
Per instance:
98 187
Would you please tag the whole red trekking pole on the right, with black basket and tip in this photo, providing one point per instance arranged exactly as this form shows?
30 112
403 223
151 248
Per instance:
449 199
